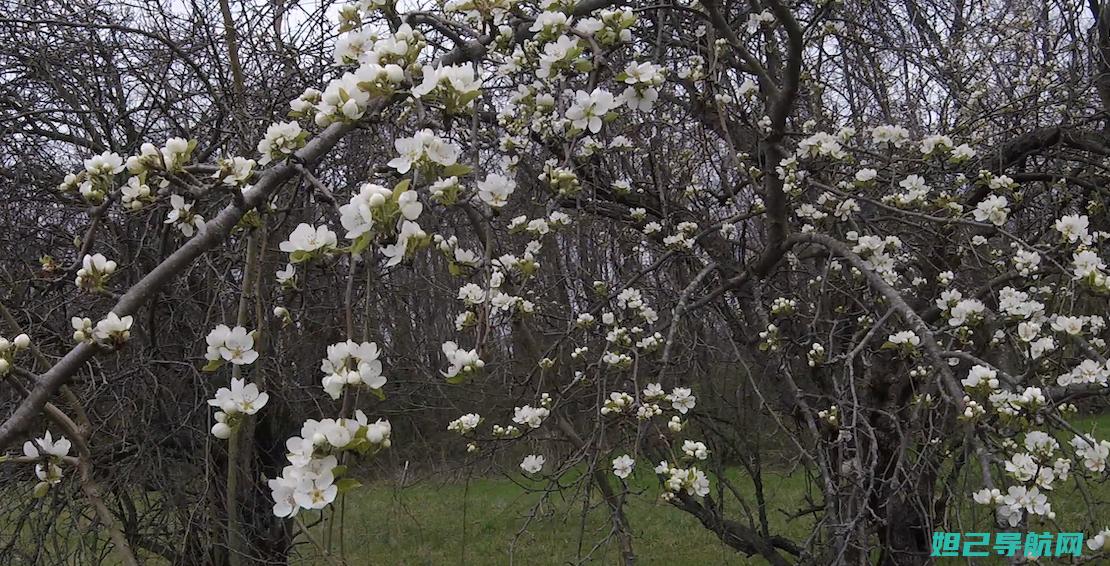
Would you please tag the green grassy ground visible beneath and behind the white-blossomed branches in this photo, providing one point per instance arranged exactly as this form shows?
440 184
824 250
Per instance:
497 521
